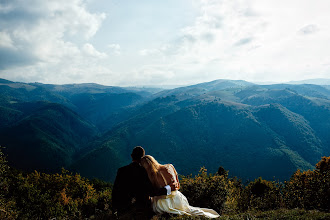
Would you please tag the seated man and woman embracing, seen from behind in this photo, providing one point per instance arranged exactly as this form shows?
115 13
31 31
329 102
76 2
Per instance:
145 178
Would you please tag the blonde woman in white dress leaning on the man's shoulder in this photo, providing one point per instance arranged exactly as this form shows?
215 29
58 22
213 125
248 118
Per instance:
176 202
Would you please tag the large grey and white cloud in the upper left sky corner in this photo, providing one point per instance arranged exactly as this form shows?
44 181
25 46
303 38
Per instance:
37 33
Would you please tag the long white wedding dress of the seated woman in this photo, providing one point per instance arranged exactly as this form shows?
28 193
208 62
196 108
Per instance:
176 202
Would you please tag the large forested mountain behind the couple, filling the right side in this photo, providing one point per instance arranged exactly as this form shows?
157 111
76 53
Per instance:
253 131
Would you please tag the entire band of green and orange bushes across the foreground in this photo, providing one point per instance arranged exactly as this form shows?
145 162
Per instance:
69 196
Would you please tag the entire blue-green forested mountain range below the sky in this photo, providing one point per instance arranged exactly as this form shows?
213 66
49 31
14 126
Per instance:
251 130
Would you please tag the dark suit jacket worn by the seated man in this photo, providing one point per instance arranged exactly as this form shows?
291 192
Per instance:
132 188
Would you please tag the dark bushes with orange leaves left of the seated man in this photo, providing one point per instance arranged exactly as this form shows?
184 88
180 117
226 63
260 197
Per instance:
45 196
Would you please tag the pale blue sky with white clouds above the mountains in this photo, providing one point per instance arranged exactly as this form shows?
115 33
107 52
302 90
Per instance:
168 42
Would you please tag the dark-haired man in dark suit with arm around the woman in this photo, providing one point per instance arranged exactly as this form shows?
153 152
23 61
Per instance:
132 189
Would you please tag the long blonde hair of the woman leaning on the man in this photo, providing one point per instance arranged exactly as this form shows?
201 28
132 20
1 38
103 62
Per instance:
152 167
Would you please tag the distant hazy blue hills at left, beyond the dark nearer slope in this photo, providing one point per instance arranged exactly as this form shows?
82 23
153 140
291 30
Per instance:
92 101
